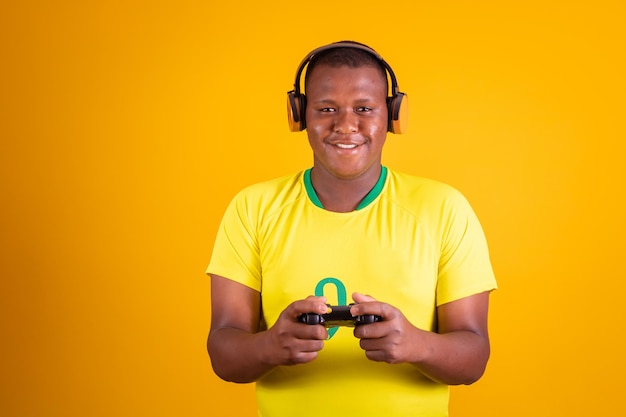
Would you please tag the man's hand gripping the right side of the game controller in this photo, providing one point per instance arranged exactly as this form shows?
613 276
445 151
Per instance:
392 340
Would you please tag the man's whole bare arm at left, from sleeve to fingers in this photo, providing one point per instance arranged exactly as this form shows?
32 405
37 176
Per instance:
240 347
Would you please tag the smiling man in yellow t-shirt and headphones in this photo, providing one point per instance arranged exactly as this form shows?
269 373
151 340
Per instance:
351 226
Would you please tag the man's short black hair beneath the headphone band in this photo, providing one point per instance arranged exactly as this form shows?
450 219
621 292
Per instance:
345 56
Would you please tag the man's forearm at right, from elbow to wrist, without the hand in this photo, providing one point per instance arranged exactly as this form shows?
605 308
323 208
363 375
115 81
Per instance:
453 358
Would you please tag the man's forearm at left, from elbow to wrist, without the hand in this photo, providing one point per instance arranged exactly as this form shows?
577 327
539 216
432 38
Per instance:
237 355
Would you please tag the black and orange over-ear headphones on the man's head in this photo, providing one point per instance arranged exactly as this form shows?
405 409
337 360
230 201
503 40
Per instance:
397 103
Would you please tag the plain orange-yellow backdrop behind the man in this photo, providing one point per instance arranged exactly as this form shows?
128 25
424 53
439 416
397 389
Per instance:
127 126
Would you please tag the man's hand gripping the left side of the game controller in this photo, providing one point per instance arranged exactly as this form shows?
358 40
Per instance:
291 342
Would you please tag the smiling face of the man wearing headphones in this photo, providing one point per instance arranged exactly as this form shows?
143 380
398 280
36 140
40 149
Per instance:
346 119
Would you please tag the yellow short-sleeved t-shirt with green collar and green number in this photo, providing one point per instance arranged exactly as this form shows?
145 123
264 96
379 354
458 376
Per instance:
415 244
